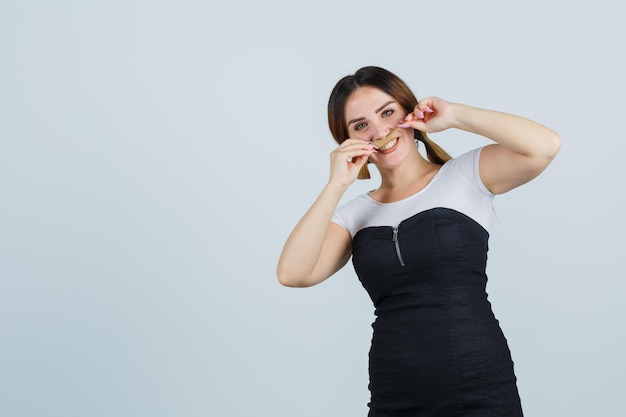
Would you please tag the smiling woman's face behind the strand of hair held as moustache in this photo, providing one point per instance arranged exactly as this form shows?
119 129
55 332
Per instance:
372 114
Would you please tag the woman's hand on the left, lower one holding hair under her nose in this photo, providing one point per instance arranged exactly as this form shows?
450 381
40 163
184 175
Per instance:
347 160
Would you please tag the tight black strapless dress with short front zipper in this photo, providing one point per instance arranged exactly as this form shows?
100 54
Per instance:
437 349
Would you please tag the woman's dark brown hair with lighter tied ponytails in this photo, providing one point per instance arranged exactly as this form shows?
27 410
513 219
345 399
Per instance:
392 85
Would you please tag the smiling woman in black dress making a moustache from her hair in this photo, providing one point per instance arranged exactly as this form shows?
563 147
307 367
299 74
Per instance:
419 242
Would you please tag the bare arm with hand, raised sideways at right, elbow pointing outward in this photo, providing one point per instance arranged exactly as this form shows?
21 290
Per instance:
523 148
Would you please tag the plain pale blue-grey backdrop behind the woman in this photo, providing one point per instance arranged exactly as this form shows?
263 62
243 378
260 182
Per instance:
154 156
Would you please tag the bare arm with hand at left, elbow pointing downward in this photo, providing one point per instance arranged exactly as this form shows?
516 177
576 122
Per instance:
317 248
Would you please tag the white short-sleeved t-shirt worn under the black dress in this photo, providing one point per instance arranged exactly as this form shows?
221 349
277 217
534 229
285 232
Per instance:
457 185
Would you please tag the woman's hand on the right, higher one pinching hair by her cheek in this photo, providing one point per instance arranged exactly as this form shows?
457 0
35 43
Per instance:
431 114
